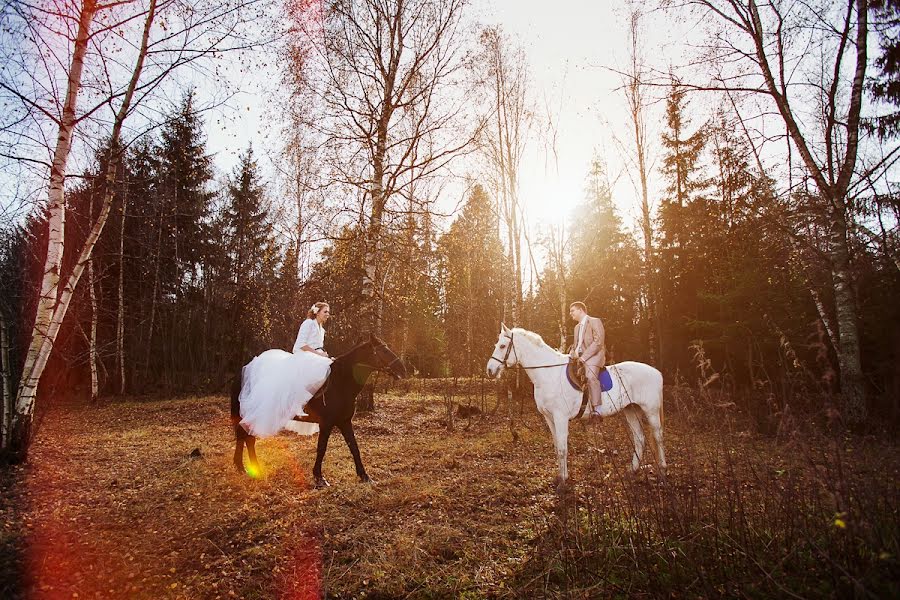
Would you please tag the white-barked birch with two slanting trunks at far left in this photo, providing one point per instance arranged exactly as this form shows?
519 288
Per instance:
90 38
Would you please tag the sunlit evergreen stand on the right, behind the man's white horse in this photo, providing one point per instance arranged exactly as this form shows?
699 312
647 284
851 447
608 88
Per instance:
739 278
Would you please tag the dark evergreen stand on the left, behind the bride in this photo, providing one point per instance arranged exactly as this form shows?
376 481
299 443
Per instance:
187 280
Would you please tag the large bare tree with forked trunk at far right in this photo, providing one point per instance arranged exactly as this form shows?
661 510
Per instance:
809 61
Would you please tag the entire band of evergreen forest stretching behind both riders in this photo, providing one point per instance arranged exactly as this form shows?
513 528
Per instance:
190 280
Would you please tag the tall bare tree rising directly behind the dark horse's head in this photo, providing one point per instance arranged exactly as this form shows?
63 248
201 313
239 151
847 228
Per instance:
382 73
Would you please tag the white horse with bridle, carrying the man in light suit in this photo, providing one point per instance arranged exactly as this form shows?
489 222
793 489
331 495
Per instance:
637 388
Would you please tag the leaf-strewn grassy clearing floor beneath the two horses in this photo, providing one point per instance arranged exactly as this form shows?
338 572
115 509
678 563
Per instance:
112 504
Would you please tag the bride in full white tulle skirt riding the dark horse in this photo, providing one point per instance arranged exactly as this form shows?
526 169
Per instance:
276 385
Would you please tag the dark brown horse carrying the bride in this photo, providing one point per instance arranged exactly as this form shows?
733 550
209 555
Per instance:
334 405
